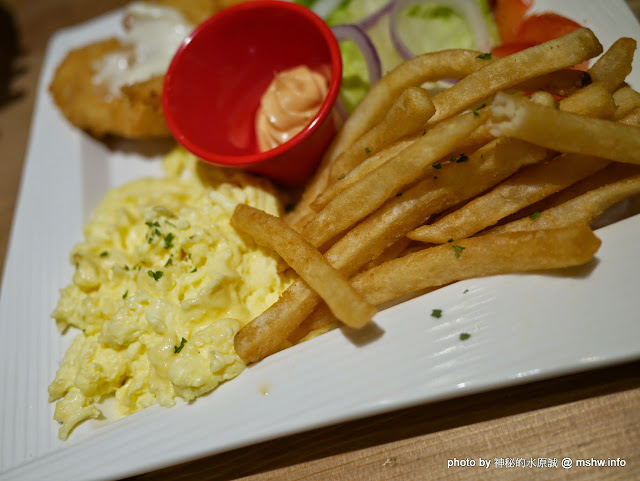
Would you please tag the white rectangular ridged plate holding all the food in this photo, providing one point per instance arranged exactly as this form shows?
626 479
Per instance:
523 327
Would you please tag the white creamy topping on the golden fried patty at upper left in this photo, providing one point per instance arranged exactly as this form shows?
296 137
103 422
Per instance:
153 33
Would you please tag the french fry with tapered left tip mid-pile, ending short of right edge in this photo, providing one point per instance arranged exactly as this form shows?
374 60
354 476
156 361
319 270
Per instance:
517 192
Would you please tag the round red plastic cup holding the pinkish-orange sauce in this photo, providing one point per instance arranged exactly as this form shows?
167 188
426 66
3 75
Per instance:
214 84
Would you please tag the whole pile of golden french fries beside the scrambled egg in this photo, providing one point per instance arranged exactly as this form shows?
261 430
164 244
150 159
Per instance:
506 171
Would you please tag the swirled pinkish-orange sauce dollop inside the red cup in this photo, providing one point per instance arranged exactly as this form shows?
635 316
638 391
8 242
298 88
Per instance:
290 102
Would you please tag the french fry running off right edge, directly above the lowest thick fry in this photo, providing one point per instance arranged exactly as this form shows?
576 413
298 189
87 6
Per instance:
584 209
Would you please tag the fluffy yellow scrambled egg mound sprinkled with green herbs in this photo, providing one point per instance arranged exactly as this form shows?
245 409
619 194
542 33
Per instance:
162 284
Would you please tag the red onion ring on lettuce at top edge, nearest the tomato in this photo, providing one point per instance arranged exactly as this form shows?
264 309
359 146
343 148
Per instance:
467 8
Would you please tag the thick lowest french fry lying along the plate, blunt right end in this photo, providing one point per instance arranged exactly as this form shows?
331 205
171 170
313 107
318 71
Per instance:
478 257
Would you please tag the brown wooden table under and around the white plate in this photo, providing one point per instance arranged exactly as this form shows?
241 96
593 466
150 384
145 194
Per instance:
590 415
